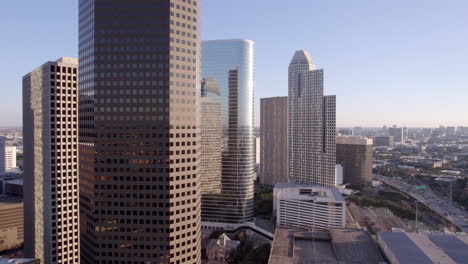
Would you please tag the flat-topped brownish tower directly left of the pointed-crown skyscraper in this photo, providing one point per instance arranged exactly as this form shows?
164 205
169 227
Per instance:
273 134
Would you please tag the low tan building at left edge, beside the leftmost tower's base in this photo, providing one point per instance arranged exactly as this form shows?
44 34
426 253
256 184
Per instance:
11 224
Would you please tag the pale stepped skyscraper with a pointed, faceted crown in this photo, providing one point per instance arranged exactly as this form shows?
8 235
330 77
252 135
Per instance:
311 125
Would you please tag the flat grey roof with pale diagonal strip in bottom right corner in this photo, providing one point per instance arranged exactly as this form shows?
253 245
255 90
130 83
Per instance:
400 248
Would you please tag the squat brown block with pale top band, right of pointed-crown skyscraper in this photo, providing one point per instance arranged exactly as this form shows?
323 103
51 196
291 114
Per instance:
355 155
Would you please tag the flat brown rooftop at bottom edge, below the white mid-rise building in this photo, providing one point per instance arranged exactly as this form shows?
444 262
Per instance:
298 246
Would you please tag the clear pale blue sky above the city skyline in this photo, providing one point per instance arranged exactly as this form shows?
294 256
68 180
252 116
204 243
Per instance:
389 62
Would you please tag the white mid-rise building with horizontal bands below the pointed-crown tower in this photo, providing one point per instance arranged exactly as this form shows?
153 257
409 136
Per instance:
310 207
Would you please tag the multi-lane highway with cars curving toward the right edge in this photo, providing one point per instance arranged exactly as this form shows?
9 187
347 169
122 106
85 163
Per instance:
451 213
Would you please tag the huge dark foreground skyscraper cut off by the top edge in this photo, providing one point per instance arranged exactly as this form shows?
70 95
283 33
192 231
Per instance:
139 131
